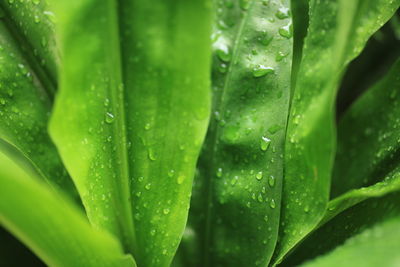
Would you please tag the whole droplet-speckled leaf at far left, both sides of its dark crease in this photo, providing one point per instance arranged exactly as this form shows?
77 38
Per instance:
26 91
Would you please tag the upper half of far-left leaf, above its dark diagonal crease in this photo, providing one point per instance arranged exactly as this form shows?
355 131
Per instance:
31 24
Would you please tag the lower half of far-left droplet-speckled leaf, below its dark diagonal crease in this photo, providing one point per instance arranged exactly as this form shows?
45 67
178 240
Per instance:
25 104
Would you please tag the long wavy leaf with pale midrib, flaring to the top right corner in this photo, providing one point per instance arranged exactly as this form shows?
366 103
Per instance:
338 31
